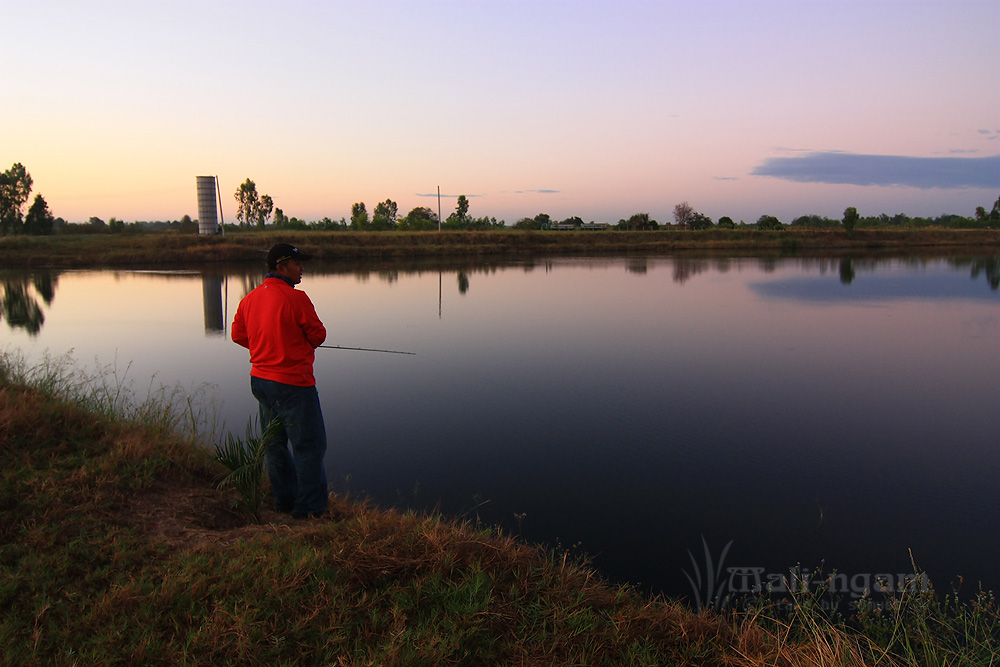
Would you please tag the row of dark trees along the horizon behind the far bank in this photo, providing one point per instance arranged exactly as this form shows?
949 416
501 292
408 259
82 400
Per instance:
255 211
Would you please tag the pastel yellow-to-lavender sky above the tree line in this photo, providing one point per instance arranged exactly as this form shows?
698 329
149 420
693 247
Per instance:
571 107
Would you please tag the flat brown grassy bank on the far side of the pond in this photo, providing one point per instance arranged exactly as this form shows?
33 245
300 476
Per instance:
173 248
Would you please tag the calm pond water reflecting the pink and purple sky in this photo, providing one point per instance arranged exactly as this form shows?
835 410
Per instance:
683 421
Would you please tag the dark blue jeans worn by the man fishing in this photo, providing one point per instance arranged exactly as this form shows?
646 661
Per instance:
298 478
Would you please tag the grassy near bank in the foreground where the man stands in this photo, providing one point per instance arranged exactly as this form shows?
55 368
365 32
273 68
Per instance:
115 548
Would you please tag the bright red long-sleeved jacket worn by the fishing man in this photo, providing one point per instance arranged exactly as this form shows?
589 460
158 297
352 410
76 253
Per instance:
279 325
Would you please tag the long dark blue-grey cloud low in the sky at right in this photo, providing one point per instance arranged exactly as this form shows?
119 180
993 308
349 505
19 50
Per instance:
885 170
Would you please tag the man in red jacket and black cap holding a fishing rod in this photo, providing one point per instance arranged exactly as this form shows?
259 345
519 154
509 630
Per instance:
279 325
